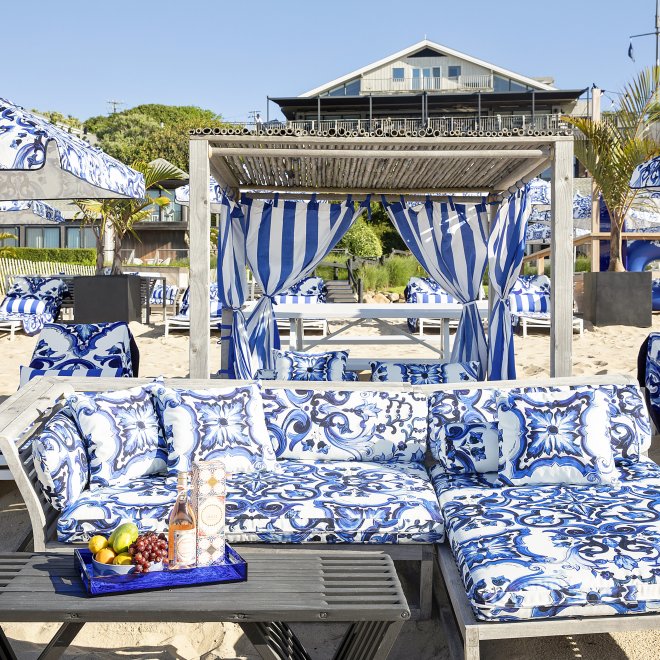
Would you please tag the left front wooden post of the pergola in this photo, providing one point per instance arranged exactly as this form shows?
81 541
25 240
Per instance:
200 250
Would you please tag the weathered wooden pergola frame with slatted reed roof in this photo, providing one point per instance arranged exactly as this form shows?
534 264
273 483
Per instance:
298 166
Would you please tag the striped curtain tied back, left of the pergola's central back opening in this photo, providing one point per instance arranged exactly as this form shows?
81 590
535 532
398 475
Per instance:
285 242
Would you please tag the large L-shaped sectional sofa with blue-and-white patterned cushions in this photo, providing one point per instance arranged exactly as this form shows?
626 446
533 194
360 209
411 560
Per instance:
536 498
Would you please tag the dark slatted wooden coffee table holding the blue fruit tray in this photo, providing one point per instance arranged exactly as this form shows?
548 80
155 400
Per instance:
283 586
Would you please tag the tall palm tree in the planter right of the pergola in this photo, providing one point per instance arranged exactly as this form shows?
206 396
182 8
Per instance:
611 149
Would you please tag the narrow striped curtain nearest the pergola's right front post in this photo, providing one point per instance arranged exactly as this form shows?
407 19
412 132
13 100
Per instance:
506 249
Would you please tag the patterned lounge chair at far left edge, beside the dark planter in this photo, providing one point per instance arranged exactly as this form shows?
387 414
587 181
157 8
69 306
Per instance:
30 303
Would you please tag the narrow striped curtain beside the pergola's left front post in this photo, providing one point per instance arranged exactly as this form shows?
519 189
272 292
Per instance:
232 285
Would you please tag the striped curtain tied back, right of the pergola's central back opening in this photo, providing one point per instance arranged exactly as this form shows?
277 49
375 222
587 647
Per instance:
449 240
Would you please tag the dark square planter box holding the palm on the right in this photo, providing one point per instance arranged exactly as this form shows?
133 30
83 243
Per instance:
618 298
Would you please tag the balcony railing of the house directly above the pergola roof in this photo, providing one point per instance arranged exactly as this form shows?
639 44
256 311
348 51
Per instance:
458 125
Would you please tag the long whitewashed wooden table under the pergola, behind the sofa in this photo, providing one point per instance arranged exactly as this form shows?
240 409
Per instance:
357 313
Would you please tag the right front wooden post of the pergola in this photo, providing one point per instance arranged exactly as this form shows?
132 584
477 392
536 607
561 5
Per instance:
561 259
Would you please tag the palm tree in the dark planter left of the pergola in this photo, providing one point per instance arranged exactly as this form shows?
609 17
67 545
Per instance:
122 214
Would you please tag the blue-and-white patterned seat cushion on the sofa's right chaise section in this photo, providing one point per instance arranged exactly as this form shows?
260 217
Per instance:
528 552
